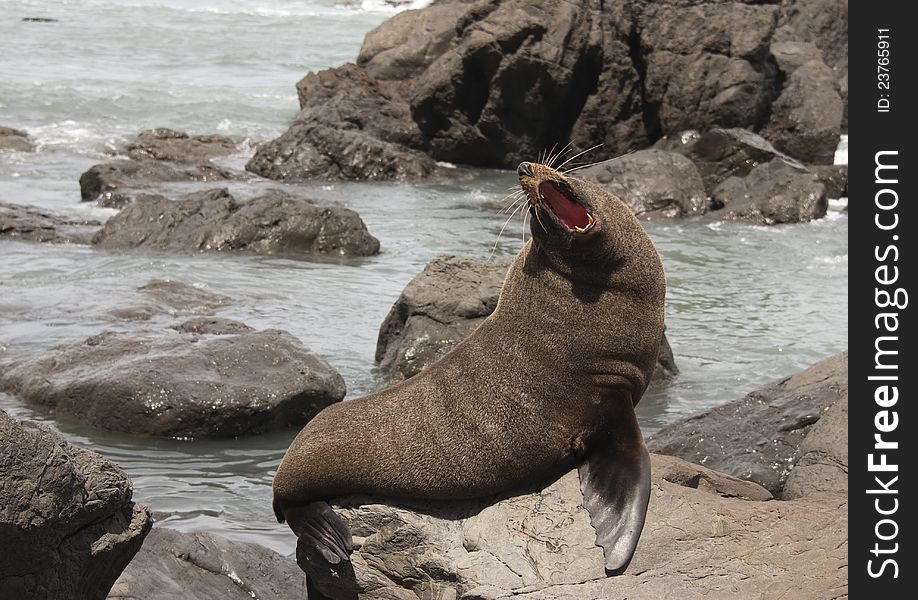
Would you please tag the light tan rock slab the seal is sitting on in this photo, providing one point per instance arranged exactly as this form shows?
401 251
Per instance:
707 535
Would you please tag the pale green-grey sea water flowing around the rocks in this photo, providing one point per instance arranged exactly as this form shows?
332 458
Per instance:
746 304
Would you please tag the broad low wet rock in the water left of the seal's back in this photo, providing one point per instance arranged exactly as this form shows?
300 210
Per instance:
181 383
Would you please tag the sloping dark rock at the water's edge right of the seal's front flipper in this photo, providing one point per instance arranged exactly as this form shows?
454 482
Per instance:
757 438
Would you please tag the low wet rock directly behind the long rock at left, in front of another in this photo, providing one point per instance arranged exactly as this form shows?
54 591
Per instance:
117 183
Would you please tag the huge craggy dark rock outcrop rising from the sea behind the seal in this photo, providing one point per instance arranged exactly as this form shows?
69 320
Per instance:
492 83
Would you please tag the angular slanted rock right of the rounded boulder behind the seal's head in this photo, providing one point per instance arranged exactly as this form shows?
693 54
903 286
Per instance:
722 153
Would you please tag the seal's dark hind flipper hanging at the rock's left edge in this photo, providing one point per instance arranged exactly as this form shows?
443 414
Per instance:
323 551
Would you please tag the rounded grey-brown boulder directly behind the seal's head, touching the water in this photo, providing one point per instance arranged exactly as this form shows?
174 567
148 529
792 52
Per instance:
654 183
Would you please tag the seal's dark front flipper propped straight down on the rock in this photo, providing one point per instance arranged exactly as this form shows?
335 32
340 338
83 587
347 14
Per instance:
615 481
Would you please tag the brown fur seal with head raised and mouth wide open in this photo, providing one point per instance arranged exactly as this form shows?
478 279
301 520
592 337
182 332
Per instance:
548 382
